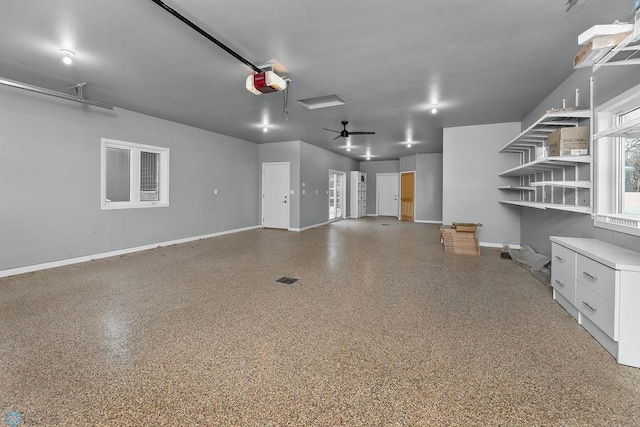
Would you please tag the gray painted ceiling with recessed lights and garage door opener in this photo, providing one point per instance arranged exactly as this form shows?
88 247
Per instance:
482 61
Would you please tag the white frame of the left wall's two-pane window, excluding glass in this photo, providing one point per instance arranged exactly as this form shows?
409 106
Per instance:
134 178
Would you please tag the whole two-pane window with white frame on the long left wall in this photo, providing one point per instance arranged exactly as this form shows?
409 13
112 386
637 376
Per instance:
134 175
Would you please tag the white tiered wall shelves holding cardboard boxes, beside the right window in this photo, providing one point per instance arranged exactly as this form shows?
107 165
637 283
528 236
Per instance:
557 183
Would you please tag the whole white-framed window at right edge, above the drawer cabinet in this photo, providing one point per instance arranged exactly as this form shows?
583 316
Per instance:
617 164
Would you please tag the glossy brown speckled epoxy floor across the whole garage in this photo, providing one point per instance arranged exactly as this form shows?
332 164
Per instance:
383 328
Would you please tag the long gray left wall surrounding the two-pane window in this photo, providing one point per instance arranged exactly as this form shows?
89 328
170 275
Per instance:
50 181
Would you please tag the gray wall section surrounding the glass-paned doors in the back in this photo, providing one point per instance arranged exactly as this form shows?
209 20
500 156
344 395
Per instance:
315 166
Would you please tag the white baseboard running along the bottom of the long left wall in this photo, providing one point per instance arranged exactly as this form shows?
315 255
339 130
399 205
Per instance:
85 258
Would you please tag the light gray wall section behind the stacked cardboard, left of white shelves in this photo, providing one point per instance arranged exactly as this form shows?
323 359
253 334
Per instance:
471 164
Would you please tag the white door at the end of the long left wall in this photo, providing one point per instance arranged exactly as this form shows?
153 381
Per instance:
275 195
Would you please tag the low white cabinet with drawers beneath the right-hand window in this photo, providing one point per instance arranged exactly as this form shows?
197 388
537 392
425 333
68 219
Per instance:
599 285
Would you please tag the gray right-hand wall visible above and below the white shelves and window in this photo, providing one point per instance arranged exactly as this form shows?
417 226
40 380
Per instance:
537 226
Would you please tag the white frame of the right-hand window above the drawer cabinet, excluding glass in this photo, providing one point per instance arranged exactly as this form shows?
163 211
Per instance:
608 176
